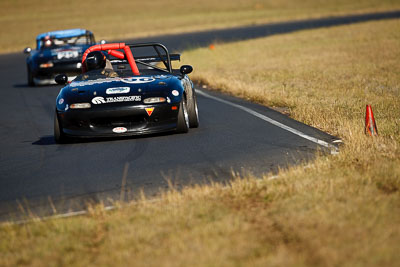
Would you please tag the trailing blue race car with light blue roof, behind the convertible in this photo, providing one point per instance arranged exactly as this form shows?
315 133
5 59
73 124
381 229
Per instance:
57 52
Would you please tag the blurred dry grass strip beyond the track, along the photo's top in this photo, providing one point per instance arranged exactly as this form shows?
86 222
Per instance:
22 20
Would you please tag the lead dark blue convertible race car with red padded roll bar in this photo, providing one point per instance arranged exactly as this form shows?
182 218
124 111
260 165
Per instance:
134 92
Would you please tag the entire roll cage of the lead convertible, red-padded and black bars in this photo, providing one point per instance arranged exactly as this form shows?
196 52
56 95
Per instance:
123 53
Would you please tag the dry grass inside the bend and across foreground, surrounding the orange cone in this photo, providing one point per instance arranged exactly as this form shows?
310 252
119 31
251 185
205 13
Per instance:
342 210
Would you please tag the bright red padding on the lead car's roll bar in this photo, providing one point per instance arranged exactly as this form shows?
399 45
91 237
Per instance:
112 50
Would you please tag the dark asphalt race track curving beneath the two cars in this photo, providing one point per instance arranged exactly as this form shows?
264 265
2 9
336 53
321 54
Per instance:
40 177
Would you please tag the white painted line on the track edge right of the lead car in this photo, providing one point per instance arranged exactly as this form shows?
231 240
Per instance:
276 123
